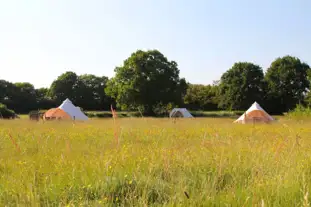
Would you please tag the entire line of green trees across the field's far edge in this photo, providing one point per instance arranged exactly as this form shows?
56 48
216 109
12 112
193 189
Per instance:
150 83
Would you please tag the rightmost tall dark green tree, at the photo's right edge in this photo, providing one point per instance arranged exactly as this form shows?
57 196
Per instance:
287 83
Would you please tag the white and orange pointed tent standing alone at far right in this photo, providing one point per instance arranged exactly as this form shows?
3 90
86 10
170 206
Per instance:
254 114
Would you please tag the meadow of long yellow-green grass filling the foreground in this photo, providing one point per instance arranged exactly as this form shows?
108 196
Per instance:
150 162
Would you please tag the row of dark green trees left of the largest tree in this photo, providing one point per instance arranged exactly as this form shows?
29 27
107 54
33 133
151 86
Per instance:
86 91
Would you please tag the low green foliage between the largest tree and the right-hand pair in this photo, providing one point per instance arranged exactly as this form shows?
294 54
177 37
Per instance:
201 97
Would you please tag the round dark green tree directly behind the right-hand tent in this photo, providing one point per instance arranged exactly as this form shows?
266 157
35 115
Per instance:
241 85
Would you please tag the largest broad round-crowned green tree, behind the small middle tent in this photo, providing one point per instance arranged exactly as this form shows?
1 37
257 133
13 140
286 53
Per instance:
145 80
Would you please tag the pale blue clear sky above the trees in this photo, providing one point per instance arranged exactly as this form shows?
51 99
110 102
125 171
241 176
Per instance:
40 39
